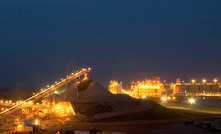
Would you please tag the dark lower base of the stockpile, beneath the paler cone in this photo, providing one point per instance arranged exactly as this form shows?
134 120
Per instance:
135 110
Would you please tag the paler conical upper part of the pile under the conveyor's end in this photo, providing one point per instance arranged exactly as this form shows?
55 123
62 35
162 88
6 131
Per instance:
90 91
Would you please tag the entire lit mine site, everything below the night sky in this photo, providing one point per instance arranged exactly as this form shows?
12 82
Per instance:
77 104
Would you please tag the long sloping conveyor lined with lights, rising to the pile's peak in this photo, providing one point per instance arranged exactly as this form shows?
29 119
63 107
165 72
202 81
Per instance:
44 92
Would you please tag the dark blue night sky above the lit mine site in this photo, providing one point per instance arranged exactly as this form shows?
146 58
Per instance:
121 40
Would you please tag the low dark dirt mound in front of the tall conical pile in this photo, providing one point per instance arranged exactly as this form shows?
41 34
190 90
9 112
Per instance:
143 110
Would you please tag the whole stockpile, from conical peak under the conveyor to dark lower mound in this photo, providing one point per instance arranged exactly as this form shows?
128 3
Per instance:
97 103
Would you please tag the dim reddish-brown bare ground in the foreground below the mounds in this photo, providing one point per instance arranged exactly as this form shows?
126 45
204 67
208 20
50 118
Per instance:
171 126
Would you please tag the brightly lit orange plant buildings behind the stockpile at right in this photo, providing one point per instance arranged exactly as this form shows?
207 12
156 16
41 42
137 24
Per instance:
167 92
